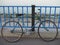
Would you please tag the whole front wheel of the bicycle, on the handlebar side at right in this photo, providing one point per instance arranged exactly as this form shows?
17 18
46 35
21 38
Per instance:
47 30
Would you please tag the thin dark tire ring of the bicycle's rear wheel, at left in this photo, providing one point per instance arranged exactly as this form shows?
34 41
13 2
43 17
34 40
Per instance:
2 33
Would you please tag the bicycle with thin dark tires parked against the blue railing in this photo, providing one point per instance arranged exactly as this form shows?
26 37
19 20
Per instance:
15 37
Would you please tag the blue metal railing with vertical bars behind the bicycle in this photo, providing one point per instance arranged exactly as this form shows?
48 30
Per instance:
28 15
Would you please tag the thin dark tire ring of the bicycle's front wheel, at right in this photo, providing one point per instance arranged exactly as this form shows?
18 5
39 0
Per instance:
39 33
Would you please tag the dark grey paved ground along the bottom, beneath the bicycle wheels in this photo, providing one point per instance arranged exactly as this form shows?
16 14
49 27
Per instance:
31 42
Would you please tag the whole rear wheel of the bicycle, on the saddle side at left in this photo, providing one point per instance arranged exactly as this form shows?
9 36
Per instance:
11 31
